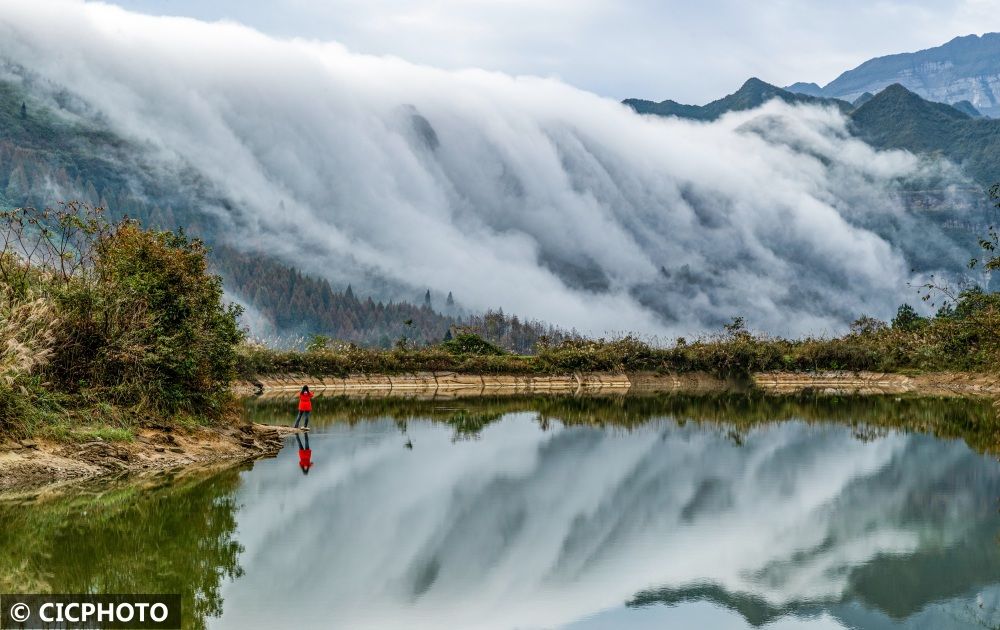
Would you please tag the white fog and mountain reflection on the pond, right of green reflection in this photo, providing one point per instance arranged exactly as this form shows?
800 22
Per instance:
530 528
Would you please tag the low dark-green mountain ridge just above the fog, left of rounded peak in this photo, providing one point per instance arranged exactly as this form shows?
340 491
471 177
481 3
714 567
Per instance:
753 93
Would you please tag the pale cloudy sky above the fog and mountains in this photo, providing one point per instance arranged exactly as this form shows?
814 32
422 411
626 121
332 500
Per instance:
688 51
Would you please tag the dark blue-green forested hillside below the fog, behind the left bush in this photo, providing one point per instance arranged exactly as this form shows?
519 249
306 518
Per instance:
53 151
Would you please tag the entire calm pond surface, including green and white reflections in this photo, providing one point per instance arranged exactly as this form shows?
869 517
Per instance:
583 514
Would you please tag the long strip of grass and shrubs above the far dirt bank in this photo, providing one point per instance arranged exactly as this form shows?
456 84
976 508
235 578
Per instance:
965 337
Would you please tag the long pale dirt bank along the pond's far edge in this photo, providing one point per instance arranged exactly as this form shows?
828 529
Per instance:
452 385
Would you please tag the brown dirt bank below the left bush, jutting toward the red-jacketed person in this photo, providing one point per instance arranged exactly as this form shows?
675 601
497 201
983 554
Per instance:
30 467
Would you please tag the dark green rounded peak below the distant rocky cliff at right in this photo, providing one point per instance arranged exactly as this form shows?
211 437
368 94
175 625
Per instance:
897 118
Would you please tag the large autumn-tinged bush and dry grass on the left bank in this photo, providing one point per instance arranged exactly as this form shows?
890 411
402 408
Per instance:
108 325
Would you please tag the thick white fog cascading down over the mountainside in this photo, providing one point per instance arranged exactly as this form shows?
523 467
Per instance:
513 192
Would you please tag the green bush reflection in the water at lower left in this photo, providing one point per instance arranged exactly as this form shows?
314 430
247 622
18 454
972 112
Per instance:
166 534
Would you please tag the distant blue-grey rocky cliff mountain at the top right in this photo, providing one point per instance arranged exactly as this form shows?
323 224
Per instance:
964 69
